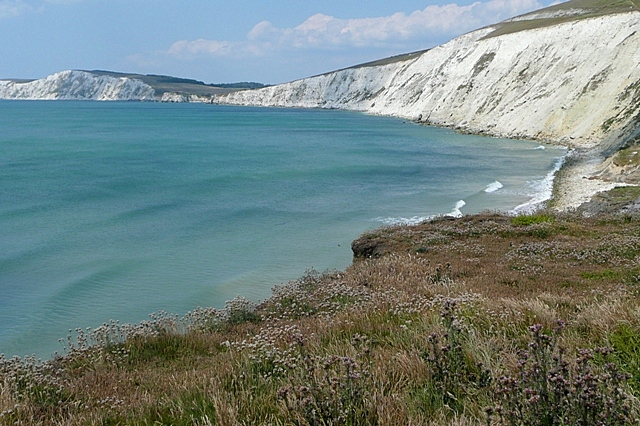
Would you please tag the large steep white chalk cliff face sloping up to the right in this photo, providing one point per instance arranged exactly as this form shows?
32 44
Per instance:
565 75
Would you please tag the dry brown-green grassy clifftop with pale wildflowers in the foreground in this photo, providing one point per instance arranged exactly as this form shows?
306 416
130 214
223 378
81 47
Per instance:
427 327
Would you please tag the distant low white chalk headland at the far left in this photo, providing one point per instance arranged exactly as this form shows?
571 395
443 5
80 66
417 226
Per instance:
78 85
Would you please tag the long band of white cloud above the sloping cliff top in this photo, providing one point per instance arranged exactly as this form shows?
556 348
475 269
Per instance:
321 31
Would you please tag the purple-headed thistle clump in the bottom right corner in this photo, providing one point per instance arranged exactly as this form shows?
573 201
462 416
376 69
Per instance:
548 390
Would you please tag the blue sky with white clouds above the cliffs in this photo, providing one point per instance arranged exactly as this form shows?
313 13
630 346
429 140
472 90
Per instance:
266 41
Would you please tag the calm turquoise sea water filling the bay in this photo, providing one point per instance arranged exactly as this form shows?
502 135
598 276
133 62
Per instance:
118 210
